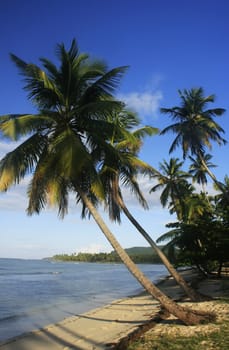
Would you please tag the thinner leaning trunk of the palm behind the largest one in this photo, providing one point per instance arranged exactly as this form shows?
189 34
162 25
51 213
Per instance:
193 295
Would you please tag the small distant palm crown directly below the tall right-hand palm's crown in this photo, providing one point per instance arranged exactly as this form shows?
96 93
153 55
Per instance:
198 171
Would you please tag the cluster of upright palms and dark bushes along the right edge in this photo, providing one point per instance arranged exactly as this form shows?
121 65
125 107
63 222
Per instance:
200 237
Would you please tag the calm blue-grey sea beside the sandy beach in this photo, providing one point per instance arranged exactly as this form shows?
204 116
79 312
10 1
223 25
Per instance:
35 293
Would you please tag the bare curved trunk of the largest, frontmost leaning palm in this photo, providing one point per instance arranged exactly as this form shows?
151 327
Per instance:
187 316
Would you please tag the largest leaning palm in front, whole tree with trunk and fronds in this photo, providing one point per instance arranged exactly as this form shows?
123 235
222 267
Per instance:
73 101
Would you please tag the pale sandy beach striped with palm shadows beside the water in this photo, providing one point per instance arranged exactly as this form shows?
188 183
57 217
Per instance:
103 328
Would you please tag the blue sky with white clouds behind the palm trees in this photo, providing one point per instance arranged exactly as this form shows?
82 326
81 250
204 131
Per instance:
168 45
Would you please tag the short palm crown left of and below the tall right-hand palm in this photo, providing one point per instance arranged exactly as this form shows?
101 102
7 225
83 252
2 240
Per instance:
173 180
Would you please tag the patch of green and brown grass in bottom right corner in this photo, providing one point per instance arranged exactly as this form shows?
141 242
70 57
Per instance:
216 340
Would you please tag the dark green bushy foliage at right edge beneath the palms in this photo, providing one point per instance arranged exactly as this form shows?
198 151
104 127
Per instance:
203 241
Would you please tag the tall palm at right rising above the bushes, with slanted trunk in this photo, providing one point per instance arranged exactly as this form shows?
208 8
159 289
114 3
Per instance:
195 126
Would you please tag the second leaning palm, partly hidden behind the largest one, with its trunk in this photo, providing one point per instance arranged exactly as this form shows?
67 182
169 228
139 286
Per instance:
116 173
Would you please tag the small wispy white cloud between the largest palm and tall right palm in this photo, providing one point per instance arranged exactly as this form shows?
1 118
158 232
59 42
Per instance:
146 103
